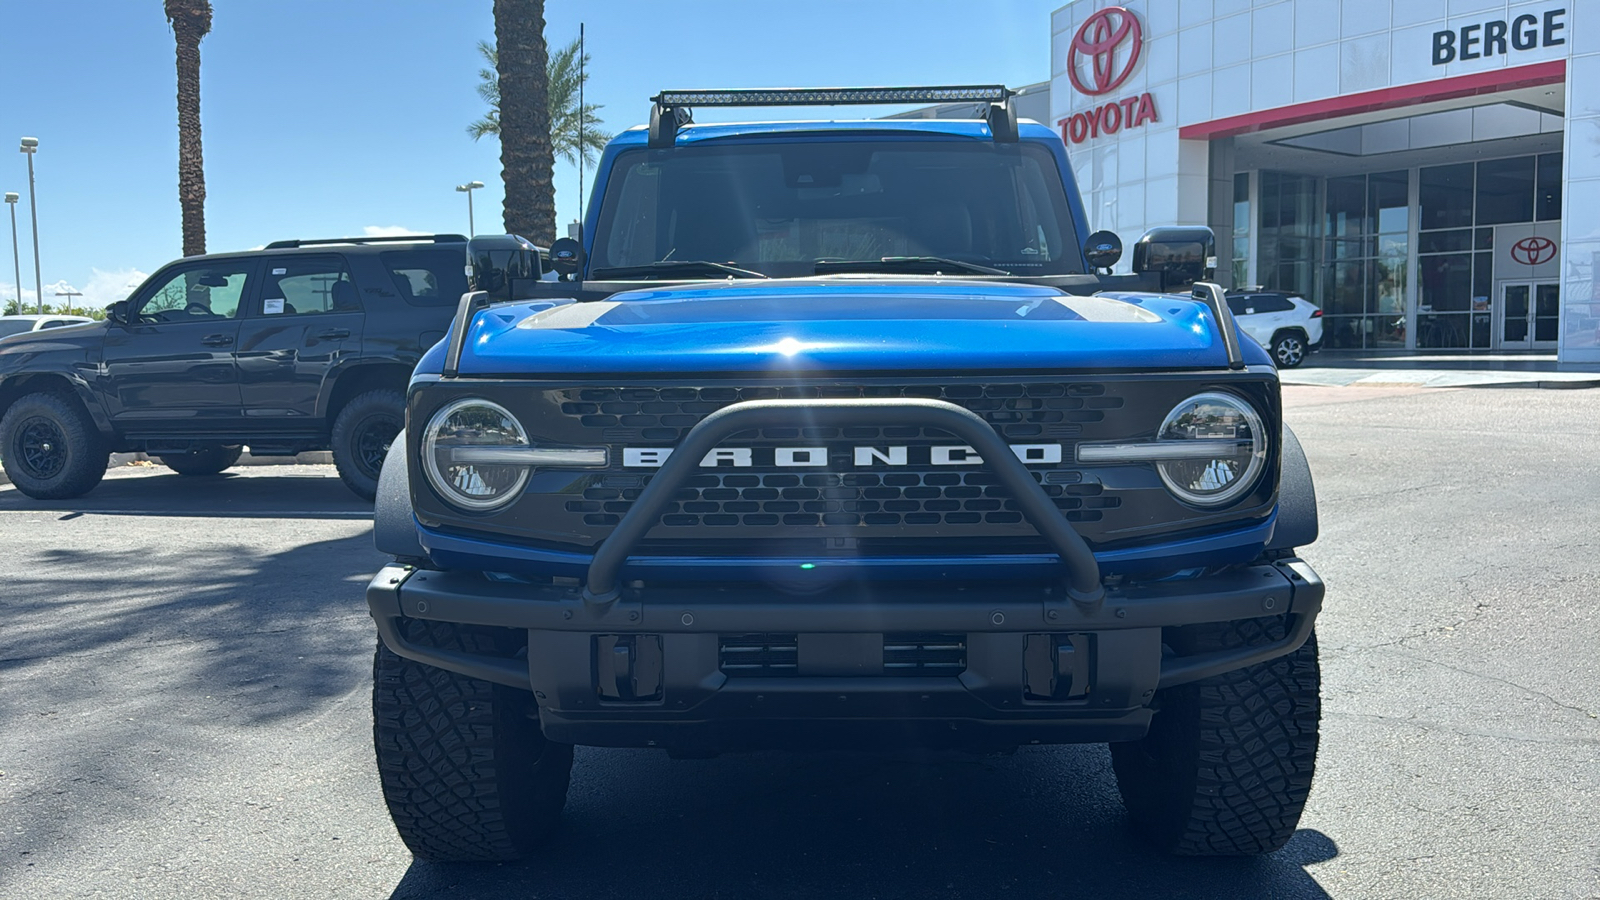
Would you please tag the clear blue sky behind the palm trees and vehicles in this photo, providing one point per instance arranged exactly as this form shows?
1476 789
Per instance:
340 118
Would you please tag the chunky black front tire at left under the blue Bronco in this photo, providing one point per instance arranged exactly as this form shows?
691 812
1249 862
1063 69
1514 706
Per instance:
466 773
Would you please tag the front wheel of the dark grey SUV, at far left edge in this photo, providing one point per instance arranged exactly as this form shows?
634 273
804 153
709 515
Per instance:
52 448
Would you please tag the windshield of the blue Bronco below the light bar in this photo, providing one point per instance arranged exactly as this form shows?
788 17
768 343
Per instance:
782 209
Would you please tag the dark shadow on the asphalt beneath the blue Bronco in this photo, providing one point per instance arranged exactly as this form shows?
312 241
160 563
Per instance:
1046 822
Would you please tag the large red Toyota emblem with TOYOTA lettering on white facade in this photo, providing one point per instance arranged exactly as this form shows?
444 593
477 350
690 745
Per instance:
1103 55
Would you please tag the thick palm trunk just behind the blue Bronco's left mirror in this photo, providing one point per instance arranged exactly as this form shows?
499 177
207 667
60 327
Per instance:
527 158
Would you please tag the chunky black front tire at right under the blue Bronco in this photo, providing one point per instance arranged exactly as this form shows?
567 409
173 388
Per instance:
1230 761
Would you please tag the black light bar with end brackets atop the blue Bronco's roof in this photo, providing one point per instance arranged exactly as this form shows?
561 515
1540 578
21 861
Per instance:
671 110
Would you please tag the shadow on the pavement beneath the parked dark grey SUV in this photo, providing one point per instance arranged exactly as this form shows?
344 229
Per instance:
230 496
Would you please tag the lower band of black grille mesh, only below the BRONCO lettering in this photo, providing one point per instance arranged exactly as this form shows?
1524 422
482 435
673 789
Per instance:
842 499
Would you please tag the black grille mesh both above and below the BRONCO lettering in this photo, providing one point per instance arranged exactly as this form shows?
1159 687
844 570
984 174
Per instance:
911 496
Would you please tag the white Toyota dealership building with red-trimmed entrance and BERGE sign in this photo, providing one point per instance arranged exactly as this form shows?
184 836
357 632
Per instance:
1425 171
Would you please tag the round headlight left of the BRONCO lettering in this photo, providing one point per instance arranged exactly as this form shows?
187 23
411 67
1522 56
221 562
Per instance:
471 425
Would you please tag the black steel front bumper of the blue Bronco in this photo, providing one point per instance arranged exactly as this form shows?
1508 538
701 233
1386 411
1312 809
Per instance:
652 669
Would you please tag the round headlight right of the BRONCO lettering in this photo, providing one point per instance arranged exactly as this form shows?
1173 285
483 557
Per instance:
1225 456
